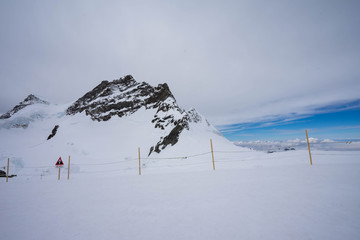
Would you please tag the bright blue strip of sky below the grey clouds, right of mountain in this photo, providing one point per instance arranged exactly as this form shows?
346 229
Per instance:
338 121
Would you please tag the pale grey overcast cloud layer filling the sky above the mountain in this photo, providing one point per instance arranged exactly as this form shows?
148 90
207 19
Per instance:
234 61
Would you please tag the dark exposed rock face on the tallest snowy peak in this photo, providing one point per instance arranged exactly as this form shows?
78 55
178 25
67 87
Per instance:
125 96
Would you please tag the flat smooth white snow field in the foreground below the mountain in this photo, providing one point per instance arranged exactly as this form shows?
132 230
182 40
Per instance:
253 196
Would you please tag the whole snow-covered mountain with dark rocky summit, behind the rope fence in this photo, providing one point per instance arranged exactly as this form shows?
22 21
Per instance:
109 123
